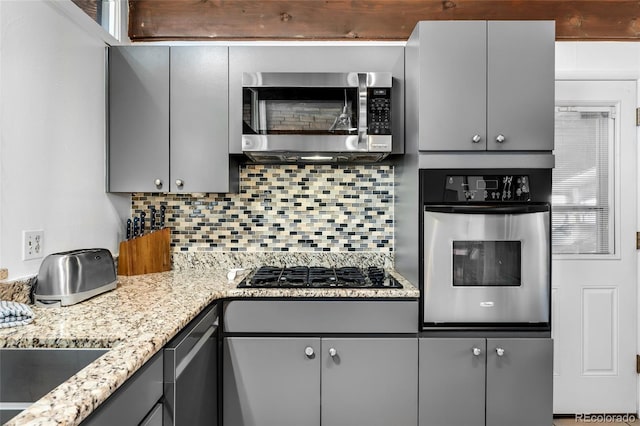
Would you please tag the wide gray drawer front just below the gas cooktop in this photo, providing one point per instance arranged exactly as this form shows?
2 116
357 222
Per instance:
321 316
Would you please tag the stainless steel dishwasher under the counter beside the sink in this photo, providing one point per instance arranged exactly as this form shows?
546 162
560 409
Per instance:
190 373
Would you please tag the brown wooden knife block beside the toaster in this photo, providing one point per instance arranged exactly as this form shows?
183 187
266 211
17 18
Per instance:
145 254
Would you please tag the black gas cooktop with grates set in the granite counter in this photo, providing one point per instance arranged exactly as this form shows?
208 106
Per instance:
319 277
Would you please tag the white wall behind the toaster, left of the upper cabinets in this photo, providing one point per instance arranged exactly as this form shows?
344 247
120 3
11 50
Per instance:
52 136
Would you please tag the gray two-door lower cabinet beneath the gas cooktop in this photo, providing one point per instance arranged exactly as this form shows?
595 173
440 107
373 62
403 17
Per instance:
302 381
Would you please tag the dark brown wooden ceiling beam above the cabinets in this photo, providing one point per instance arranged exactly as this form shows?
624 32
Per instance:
367 19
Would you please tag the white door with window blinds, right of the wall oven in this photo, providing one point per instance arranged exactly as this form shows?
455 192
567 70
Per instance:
594 263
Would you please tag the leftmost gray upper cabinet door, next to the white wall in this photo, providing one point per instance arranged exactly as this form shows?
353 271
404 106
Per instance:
138 119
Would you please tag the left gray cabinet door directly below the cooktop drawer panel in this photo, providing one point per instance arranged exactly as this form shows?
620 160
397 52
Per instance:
271 382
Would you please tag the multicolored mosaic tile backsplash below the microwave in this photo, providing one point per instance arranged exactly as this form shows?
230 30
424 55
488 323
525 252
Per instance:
292 208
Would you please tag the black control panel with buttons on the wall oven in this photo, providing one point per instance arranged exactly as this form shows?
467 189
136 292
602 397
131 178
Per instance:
489 188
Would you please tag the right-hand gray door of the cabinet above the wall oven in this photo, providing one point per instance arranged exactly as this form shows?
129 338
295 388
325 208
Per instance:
521 79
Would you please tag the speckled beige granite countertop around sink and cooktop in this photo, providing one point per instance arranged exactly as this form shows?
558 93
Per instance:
135 321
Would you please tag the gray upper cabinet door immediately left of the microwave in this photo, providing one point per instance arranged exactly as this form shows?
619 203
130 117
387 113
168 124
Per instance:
199 119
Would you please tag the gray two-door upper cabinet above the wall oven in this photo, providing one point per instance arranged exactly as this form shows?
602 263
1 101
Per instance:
481 85
